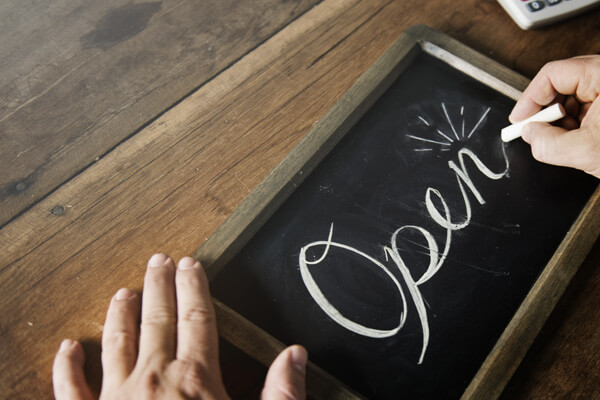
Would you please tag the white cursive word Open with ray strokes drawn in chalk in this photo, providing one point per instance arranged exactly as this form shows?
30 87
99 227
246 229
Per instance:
441 217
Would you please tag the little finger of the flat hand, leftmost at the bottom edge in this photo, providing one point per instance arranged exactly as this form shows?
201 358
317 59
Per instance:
67 373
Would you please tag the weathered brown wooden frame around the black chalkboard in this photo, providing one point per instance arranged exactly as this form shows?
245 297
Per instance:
257 208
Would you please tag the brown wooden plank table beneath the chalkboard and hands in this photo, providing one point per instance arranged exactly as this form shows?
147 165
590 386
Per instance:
128 129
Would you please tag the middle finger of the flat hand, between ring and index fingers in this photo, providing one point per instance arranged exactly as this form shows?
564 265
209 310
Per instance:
159 315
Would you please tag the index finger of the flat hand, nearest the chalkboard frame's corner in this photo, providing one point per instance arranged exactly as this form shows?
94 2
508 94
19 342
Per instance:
197 338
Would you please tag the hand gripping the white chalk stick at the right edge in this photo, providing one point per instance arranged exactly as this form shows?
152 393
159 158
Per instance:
576 141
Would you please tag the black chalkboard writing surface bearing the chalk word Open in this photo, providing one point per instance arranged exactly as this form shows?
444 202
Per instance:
404 254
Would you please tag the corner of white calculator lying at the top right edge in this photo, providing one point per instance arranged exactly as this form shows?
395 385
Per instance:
534 13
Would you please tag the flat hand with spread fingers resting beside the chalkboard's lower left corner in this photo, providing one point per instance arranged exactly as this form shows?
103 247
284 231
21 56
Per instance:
178 345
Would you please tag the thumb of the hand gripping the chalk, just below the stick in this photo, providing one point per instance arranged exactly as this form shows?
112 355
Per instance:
556 145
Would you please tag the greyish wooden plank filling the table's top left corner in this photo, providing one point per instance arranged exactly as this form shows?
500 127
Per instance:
80 77
